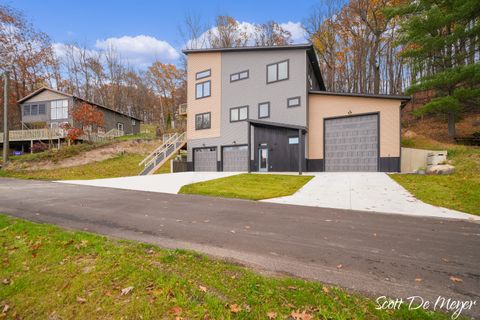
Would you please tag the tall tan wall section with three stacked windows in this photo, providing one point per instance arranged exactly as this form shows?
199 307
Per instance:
199 62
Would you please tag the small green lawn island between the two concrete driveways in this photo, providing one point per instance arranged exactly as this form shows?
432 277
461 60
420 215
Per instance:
249 186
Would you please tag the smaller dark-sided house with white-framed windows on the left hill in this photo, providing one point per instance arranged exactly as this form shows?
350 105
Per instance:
48 108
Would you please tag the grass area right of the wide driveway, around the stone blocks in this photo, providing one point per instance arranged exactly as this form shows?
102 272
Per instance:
459 191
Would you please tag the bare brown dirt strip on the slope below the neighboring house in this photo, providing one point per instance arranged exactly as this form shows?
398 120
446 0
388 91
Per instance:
97 155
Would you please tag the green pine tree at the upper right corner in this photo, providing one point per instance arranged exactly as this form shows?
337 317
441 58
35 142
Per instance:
441 41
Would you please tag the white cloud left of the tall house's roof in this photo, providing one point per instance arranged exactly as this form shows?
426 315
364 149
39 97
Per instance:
140 50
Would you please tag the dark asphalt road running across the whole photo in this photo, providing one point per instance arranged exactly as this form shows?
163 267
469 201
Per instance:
375 254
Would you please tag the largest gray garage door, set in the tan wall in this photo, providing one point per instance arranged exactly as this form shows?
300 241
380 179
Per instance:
351 143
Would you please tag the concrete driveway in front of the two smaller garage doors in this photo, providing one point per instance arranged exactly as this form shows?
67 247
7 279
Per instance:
165 183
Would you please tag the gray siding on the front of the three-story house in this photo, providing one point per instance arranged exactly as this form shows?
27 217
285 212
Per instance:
255 90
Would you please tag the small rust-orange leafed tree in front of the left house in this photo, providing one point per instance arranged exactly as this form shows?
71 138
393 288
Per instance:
87 118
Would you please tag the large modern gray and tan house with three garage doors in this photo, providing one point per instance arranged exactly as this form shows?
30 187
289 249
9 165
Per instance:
266 109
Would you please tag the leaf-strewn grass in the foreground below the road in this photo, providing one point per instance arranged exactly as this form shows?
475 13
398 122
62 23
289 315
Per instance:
49 273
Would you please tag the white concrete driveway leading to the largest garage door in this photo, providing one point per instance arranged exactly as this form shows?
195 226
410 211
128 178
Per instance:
366 191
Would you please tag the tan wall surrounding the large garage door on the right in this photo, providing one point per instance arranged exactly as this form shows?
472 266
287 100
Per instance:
323 106
